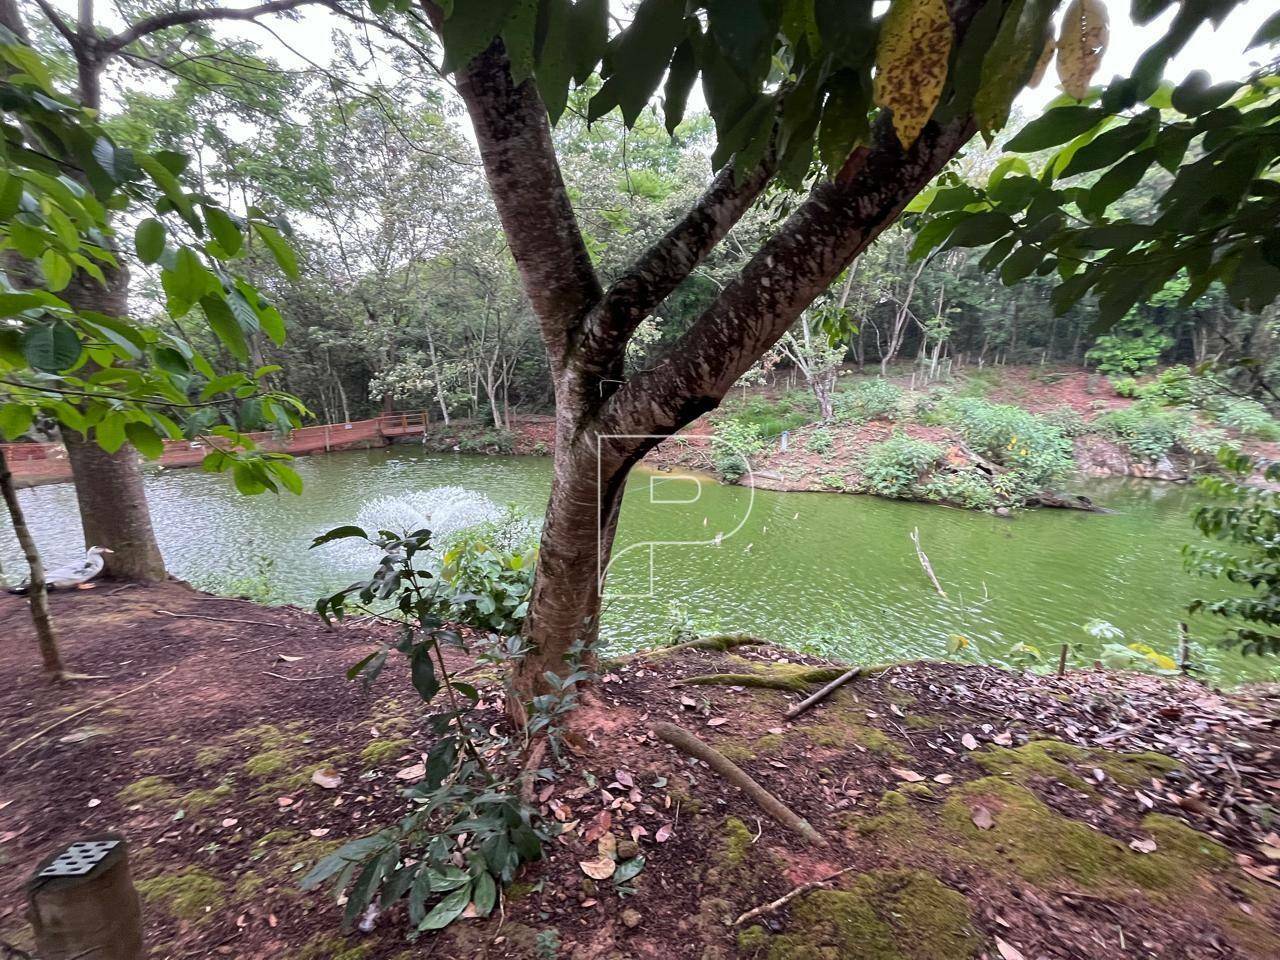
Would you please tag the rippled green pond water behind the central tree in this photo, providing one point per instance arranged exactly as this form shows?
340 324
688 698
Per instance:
834 573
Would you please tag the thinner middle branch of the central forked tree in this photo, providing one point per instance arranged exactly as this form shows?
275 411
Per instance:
664 267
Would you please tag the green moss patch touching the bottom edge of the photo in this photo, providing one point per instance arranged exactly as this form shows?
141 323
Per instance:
885 916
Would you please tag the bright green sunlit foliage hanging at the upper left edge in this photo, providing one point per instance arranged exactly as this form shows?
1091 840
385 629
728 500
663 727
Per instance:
107 377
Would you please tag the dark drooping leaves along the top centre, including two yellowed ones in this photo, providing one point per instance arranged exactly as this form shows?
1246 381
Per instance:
806 76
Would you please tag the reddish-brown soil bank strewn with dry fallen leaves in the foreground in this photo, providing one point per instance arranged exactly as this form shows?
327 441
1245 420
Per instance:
207 719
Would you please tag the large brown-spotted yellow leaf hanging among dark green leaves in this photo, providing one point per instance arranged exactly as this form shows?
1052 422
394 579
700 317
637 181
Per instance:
912 63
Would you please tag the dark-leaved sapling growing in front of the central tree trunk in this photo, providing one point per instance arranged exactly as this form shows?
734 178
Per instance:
470 829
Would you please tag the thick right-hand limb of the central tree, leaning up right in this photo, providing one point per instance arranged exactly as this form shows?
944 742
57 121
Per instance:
836 223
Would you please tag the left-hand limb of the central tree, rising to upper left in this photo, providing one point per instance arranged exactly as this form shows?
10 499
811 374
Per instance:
524 176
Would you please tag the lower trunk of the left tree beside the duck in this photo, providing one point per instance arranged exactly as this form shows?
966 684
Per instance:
113 506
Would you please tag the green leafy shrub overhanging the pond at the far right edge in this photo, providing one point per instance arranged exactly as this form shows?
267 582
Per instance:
1247 520
